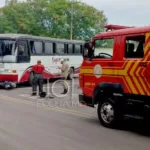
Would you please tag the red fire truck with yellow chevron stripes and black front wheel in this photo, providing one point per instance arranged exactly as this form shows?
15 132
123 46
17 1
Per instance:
115 74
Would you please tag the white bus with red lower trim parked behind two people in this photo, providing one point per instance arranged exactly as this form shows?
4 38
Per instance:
18 53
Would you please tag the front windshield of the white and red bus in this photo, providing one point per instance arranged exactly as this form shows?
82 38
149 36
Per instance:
6 47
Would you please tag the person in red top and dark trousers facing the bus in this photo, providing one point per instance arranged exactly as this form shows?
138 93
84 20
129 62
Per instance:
38 79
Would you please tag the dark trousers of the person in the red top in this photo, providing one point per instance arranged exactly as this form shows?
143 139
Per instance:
37 82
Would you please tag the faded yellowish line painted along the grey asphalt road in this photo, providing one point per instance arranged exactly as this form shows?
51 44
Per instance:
73 112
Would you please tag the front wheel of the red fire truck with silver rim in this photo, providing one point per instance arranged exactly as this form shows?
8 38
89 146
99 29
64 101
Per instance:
107 113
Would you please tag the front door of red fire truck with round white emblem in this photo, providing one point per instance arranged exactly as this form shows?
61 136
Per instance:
95 68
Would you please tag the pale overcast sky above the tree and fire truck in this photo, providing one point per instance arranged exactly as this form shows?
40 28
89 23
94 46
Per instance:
121 12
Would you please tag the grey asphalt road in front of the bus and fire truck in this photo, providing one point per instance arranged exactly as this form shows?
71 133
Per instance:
31 123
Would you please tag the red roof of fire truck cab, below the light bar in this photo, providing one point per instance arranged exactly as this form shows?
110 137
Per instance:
123 31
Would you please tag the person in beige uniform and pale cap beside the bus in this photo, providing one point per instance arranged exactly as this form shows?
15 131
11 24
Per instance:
64 71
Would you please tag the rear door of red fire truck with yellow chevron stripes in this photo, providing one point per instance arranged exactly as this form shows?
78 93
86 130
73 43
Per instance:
136 57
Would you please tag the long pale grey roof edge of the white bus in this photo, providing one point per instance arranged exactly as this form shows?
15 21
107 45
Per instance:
26 36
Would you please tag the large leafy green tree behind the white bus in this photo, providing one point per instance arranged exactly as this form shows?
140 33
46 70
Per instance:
52 18
